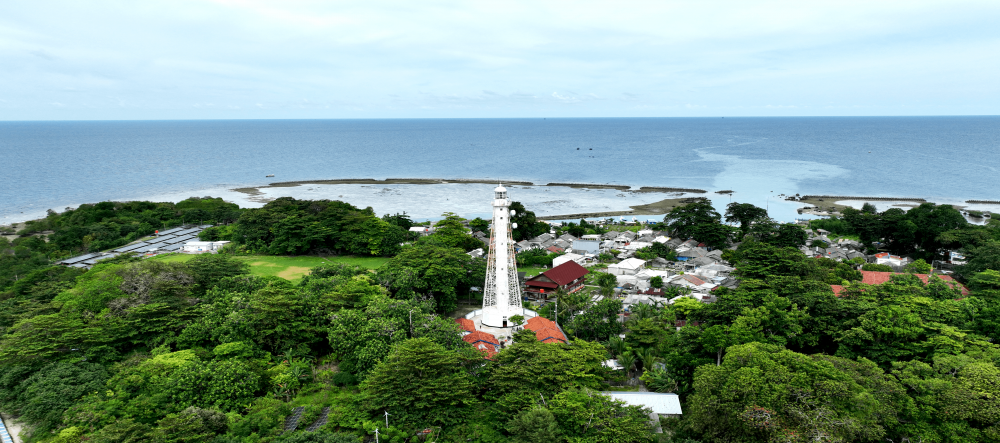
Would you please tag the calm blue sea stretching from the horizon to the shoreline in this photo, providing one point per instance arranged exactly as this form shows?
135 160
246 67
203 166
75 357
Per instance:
62 164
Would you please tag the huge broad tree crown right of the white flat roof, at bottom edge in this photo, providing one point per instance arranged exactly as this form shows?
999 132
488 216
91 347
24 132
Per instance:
766 393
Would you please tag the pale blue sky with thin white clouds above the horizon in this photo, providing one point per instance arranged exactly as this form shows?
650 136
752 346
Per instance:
244 59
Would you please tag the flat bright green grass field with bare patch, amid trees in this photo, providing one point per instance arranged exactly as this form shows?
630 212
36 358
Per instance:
288 268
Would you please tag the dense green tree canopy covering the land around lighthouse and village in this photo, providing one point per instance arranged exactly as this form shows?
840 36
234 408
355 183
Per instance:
147 350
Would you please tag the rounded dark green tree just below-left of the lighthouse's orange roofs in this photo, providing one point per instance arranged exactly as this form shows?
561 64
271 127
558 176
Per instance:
421 383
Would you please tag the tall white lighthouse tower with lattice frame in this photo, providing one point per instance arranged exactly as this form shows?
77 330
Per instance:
502 295
